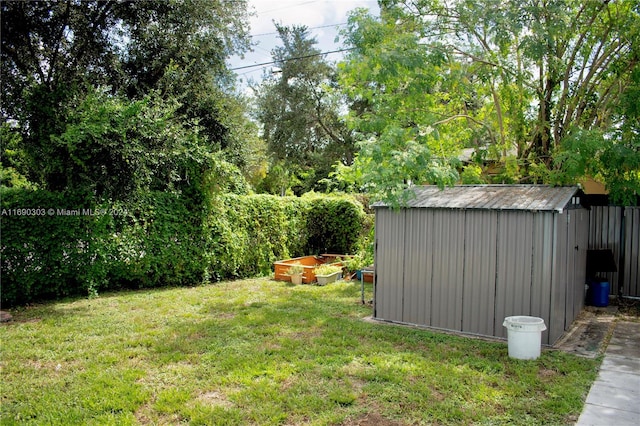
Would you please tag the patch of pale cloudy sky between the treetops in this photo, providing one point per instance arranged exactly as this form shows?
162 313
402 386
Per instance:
324 18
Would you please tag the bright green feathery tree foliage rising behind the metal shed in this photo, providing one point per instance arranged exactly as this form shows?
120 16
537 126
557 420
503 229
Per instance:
514 80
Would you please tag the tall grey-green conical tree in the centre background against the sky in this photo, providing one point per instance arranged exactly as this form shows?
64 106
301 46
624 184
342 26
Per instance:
298 108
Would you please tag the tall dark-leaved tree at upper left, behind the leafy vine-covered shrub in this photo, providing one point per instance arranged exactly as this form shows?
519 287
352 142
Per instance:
55 53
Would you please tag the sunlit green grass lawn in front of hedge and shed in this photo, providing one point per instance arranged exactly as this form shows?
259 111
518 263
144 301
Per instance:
265 352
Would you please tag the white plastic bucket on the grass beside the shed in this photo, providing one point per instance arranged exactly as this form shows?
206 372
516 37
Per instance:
524 335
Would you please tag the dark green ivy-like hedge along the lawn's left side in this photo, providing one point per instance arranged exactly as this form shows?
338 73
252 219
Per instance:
59 244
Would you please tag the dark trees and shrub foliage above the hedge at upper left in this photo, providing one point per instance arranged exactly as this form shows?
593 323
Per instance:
84 81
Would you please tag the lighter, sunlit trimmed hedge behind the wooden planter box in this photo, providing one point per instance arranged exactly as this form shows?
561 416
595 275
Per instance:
250 232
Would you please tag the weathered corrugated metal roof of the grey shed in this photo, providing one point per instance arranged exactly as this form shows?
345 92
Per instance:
493 197
